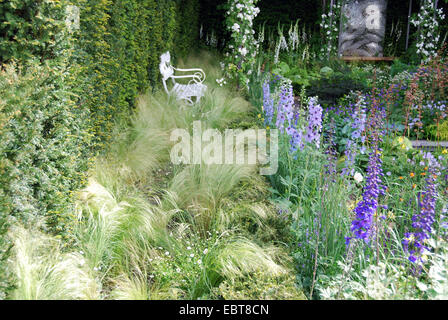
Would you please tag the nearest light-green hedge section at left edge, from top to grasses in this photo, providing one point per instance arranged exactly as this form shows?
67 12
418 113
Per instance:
44 131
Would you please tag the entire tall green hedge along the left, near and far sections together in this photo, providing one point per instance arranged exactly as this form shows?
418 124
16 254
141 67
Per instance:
61 90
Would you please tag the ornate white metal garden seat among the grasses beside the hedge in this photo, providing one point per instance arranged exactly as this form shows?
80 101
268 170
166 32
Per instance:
186 92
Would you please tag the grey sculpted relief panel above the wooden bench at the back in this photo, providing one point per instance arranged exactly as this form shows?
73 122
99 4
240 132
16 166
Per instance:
363 25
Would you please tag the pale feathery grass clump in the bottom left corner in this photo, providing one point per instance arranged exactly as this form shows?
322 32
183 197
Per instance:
43 272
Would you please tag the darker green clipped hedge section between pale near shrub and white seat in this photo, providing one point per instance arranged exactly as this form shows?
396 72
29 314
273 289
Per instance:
119 47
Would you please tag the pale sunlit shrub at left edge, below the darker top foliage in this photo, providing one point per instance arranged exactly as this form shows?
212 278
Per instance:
43 143
